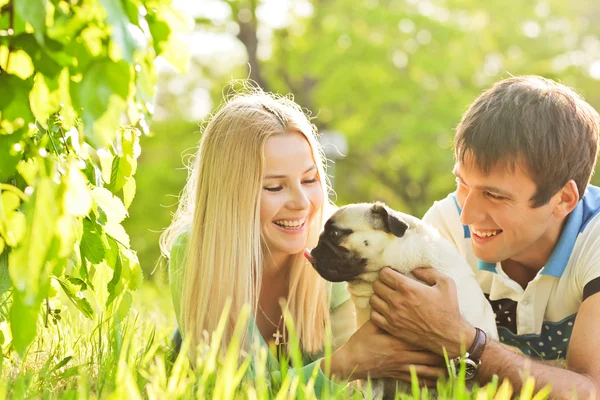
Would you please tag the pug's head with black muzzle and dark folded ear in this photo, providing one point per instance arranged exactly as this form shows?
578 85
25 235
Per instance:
353 240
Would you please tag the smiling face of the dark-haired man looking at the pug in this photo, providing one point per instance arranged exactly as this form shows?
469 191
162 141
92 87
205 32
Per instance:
497 207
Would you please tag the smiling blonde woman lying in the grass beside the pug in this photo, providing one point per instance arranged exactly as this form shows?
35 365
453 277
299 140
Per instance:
255 199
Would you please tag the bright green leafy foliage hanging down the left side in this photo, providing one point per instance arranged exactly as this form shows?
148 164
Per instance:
76 87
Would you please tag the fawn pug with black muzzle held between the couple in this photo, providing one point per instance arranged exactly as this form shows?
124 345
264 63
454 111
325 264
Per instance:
359 240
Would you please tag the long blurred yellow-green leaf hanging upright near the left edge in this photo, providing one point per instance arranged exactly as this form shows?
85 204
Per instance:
27 260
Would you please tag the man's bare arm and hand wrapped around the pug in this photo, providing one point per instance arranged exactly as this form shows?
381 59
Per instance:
429 316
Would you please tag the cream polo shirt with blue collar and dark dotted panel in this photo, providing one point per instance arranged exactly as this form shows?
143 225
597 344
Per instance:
538 319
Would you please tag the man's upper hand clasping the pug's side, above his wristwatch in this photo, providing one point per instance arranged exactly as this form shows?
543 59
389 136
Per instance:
422 315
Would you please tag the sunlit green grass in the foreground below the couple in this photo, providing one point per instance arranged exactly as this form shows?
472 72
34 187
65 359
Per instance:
76 358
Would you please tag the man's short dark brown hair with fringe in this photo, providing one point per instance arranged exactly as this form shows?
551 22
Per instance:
537 124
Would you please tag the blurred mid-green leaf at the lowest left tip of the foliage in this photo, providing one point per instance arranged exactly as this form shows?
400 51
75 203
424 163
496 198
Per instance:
23 322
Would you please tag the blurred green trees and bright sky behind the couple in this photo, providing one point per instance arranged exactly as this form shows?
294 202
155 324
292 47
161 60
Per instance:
392 78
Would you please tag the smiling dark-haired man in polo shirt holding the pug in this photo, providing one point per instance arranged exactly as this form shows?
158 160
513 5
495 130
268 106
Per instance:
526 220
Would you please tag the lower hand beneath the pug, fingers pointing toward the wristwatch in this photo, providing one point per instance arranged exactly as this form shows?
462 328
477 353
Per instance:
372 352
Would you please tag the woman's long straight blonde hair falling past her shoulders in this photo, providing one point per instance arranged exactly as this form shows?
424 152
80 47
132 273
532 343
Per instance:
221 203
